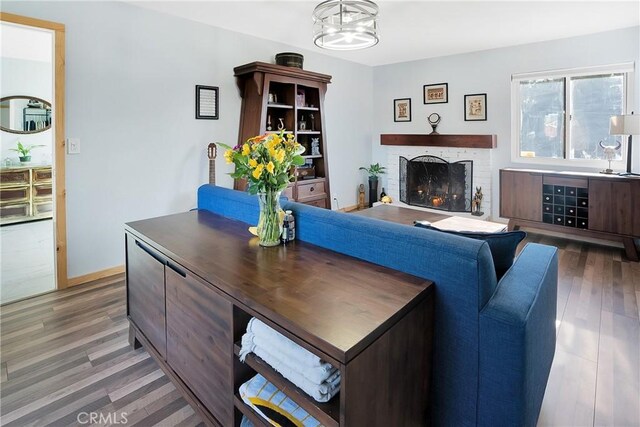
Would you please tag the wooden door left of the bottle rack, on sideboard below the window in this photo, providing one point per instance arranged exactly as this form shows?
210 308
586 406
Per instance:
521 195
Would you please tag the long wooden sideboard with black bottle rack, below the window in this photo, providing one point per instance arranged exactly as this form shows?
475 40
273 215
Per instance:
584 204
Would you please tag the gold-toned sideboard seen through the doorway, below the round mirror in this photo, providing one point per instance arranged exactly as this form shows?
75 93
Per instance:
26 193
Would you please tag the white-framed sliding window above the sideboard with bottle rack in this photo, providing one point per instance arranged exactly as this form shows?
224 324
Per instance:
561 117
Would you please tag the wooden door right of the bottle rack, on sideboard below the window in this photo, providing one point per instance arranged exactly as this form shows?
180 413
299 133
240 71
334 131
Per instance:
611 206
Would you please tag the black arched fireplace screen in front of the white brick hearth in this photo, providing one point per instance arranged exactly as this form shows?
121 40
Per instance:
432 182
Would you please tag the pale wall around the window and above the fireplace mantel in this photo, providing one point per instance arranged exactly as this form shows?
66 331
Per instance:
489 72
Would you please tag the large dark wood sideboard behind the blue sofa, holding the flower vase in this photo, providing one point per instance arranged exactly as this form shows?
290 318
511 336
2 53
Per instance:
195 279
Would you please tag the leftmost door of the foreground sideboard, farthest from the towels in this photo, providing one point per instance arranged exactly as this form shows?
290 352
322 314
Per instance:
145 292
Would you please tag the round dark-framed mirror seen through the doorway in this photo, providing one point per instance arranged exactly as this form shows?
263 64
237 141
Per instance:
24 114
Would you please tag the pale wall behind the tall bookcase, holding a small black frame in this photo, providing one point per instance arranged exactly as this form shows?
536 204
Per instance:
130 82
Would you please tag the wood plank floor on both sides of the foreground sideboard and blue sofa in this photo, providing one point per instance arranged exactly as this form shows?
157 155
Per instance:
66 353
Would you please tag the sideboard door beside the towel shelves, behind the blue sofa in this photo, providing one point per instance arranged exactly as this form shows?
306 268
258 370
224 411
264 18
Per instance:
200 342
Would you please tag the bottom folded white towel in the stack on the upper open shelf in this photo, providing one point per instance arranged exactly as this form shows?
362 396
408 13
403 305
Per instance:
320 392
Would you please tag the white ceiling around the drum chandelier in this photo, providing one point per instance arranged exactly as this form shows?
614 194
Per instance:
411 30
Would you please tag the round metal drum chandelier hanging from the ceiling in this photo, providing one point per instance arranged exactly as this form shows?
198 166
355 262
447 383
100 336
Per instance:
345 24
